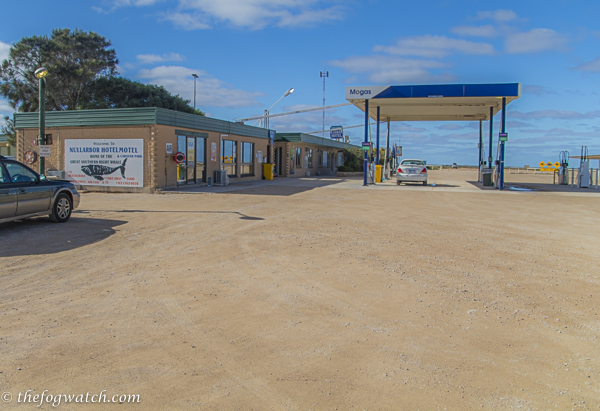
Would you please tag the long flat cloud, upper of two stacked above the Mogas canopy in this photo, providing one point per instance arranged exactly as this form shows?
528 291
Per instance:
435 47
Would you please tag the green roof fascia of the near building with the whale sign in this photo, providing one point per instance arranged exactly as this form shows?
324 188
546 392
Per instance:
136 117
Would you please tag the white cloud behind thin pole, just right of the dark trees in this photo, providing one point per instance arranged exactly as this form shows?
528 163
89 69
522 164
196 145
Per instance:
210 92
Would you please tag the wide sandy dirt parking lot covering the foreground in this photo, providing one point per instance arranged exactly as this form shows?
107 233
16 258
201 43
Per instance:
313 294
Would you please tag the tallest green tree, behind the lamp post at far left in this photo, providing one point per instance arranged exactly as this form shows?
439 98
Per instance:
74 59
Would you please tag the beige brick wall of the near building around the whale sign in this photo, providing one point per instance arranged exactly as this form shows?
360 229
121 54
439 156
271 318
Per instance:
160 171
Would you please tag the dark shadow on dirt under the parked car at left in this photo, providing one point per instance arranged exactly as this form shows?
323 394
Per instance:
41 236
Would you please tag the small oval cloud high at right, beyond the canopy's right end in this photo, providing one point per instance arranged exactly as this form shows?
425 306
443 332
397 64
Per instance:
535 40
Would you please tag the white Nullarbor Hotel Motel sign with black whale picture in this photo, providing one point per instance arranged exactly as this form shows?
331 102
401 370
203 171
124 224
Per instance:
113 163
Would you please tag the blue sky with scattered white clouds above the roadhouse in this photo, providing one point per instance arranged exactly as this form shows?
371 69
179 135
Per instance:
249 52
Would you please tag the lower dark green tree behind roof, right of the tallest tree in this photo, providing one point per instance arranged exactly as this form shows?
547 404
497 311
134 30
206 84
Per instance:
119 92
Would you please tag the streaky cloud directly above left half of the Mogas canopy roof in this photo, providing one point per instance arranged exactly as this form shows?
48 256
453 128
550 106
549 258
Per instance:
390 70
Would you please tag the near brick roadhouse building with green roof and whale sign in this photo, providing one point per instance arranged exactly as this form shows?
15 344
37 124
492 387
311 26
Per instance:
143 149
